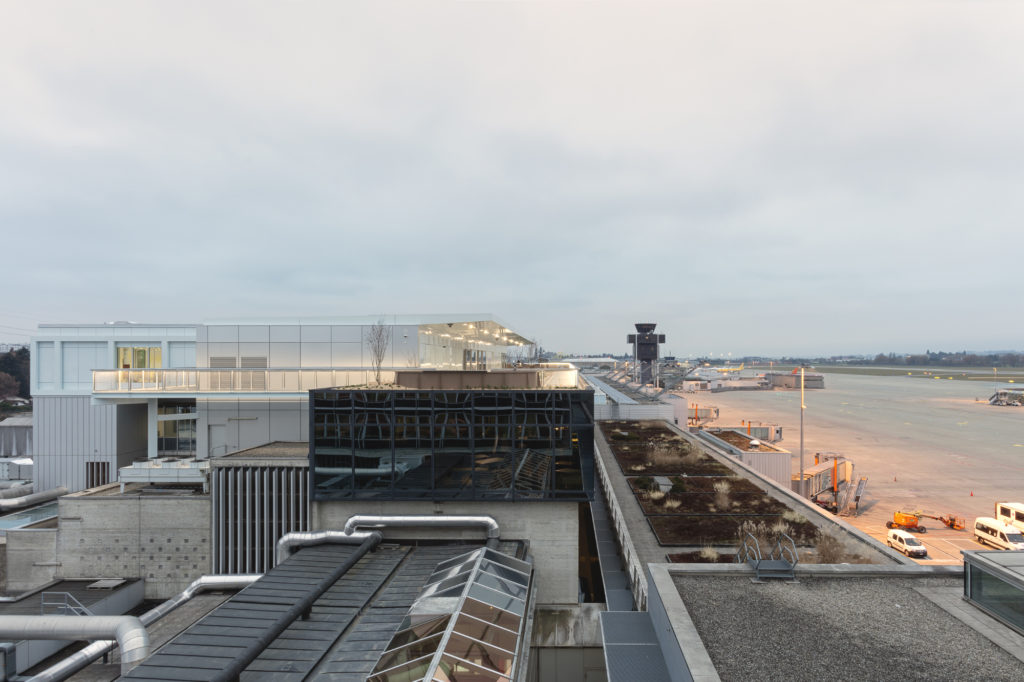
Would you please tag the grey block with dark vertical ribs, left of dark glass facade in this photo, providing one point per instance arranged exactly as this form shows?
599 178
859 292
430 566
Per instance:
253 508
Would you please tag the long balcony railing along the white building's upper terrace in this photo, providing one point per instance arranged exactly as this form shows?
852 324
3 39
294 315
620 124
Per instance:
202 380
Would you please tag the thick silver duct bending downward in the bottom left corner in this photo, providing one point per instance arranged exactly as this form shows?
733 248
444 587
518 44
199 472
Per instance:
127 630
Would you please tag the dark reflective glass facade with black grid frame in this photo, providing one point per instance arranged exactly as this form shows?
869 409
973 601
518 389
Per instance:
446 445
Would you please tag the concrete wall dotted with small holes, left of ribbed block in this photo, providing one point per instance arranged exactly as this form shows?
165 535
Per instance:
164 540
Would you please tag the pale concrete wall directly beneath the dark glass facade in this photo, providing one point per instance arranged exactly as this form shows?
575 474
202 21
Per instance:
551 529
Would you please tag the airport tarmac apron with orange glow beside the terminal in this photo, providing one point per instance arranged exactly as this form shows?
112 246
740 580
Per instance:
923 447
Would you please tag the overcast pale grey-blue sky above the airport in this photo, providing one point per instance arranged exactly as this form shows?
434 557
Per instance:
766 178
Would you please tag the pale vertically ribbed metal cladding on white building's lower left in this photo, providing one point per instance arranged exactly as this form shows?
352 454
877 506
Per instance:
69 433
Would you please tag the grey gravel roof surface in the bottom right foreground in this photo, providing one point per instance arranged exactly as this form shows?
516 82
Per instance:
842 629
